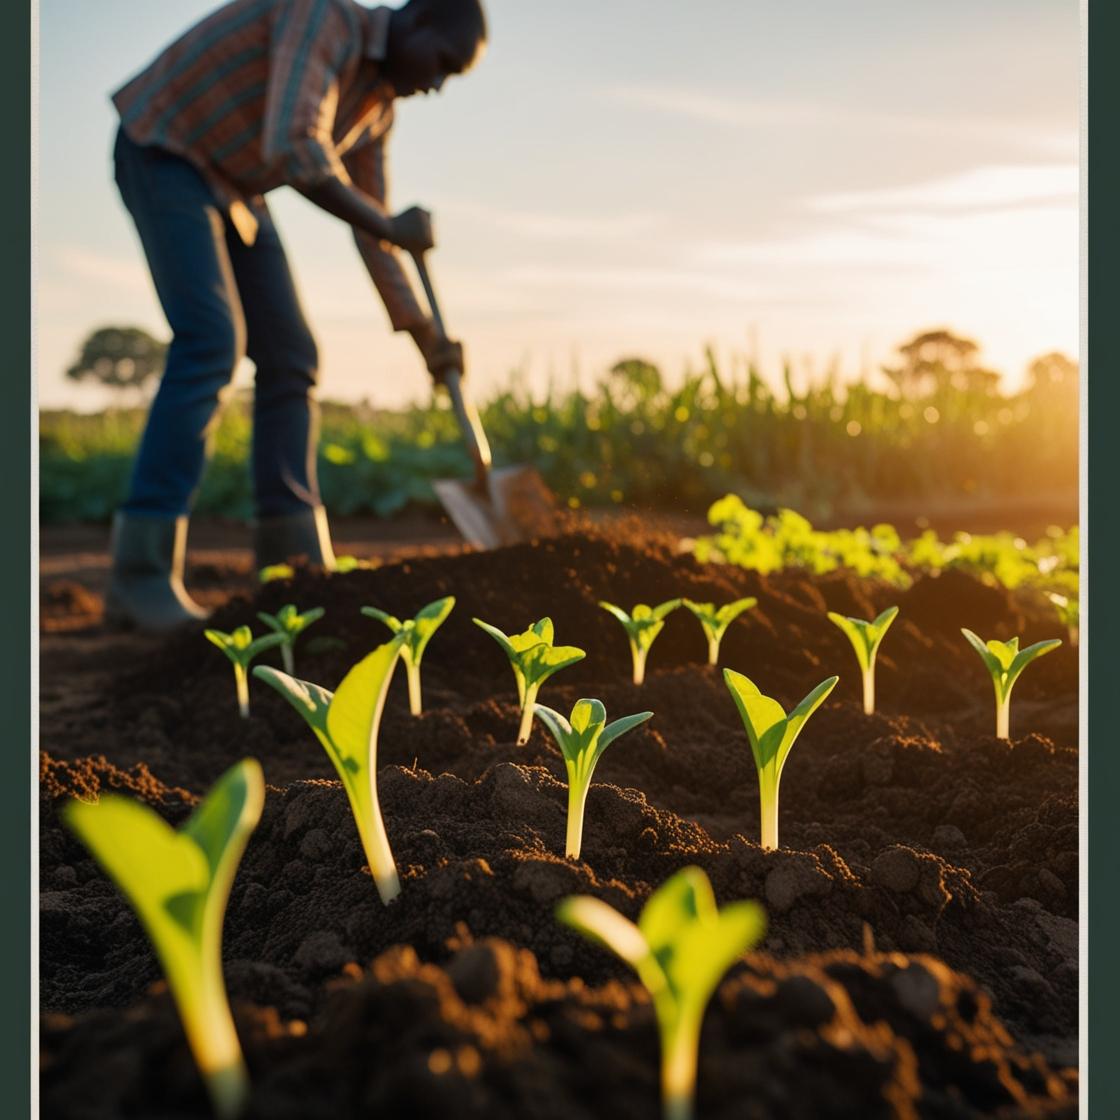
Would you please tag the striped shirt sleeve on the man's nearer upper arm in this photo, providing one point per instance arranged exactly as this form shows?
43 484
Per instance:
310 43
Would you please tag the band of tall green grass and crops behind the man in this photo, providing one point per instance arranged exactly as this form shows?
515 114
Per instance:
631 442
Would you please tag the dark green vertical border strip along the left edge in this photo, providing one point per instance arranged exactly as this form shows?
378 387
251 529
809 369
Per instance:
16 559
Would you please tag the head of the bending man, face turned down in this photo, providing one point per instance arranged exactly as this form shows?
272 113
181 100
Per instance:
430 41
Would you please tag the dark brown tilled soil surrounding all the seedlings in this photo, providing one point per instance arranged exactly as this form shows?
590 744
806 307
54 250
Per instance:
922 954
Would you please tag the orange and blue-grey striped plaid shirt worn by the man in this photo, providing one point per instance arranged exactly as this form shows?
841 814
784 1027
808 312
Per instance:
269 94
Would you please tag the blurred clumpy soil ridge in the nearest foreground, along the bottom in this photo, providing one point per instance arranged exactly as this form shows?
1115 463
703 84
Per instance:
830 1035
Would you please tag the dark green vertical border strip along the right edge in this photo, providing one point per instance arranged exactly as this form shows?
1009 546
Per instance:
1103 981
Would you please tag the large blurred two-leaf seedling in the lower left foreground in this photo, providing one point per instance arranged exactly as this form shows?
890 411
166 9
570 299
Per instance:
179 884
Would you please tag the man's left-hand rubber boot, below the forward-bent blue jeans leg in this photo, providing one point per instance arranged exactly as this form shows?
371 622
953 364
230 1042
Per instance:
146 578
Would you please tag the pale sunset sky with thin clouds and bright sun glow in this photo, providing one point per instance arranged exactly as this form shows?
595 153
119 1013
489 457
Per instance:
805 181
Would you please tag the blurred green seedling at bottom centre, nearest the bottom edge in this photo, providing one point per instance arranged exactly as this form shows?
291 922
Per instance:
680 949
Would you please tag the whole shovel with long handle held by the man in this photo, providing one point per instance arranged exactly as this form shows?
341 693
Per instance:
505 506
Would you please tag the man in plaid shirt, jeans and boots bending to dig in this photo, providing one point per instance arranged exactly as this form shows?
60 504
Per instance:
263 95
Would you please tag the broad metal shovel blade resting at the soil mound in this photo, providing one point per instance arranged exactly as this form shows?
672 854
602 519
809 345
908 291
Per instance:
516 508
